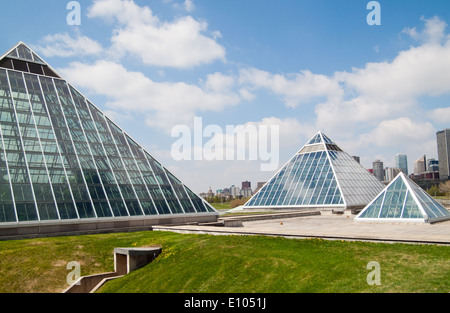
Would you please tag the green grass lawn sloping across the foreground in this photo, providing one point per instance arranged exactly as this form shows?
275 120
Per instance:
226 264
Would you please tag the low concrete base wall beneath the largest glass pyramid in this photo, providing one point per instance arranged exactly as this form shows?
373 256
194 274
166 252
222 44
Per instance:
93 226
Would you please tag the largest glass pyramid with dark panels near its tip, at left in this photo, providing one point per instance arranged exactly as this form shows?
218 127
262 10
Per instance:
62 159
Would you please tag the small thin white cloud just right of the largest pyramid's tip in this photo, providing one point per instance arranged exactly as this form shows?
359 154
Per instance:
63 45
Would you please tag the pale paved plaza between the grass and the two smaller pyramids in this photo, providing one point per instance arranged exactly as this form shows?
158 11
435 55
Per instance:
333 227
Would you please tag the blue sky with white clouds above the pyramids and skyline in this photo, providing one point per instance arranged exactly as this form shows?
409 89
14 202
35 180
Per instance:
303 66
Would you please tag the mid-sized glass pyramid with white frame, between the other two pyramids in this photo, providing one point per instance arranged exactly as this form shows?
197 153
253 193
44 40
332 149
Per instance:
320 175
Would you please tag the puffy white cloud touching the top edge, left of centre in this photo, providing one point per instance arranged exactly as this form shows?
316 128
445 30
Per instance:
181 43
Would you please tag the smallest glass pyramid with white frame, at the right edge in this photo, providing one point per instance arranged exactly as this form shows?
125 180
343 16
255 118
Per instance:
403 200
